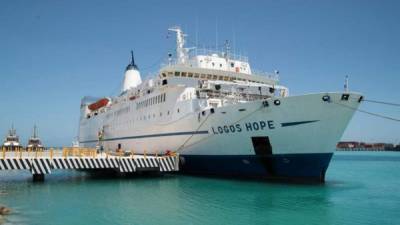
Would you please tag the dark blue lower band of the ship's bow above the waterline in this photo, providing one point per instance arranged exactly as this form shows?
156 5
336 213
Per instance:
311 166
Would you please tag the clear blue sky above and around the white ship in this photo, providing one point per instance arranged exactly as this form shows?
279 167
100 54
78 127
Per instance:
54 52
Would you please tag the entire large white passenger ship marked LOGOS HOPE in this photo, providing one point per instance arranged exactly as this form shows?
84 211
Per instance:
221 117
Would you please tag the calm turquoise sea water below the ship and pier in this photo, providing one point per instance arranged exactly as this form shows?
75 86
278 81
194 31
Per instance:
361 188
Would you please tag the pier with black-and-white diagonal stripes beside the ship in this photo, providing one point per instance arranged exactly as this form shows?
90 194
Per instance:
42 163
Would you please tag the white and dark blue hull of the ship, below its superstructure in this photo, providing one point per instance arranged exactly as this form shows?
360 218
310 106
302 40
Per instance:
302 132
